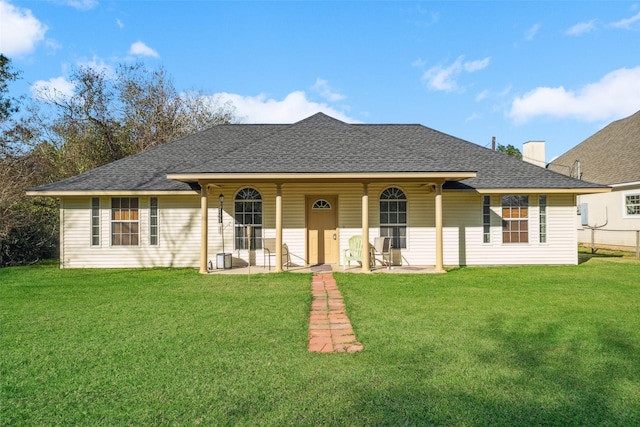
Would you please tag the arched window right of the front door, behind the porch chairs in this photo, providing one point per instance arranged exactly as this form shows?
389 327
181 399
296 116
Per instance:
393 216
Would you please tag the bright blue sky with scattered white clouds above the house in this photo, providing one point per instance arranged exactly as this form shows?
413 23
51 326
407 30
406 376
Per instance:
519 71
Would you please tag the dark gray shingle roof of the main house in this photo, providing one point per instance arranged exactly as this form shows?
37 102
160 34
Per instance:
318 144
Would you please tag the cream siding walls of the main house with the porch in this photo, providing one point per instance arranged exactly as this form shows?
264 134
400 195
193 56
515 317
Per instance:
179 228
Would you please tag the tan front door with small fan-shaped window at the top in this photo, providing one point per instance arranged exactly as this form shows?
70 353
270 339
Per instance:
322 233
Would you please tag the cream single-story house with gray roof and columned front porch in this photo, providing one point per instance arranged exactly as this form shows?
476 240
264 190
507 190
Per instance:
312 185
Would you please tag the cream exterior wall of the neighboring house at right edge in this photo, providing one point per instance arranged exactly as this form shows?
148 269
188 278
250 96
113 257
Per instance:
608 208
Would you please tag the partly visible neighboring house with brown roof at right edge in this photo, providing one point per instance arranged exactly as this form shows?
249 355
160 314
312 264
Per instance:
612 157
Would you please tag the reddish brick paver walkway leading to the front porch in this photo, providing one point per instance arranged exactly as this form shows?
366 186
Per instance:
329 327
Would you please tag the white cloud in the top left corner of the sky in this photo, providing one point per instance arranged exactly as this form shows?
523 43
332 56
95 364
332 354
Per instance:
21 31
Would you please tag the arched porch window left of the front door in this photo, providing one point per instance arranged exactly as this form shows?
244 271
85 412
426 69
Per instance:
248 211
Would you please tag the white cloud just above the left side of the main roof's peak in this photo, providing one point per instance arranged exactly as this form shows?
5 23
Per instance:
261 109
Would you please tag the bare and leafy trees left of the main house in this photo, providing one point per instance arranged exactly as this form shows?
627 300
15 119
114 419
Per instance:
108 116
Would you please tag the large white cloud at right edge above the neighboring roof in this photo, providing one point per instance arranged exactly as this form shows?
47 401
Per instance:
616 95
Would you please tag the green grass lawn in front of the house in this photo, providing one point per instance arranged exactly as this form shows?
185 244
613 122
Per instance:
476 346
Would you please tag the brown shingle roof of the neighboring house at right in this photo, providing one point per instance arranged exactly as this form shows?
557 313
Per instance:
610 156
